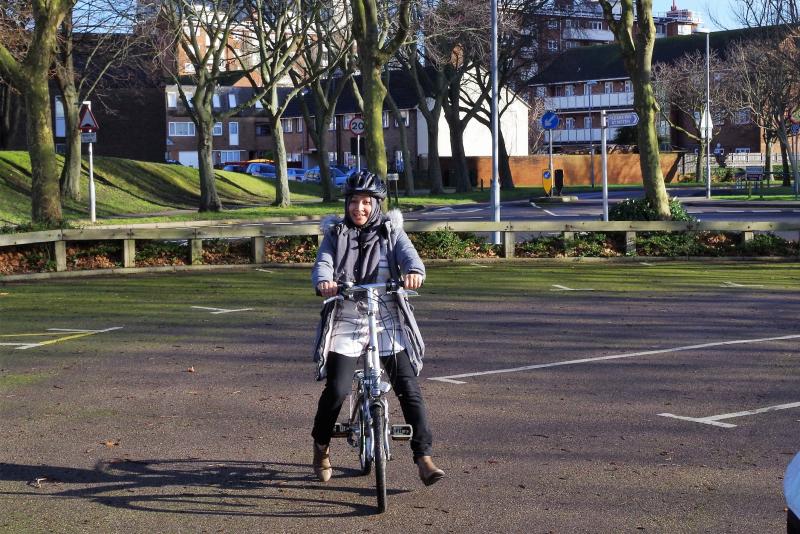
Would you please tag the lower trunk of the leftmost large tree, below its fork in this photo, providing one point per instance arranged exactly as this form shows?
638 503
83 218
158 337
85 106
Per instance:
45 198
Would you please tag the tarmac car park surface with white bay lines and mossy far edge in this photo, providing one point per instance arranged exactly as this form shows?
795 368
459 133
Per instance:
567 398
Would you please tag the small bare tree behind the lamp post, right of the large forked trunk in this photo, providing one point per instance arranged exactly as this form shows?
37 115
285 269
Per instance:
680 87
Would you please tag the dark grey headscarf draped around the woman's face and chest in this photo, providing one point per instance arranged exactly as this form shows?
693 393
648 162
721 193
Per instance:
358 262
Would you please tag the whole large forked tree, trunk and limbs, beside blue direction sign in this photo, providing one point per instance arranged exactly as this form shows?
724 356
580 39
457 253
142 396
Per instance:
635 33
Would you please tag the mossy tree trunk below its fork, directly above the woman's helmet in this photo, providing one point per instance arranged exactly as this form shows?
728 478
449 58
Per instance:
373 92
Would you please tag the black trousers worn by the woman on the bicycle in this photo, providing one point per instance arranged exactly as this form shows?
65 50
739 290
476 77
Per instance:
404 383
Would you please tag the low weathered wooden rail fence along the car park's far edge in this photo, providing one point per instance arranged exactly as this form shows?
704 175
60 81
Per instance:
259 232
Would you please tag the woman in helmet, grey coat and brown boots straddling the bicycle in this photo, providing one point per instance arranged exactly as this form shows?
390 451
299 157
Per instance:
368 247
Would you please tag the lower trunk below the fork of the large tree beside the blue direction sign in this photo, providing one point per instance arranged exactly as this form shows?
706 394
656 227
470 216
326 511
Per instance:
649 159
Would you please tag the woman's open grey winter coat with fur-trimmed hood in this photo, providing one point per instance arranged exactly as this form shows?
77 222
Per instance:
403 259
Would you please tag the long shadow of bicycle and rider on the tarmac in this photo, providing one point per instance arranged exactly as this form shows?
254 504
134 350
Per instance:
197 486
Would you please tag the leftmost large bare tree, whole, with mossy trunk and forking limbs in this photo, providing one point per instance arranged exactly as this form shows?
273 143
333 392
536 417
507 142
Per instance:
26 66
